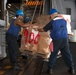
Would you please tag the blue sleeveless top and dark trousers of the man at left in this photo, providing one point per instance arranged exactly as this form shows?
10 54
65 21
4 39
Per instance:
11 39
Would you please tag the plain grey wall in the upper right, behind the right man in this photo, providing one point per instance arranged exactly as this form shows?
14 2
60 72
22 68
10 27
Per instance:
61 6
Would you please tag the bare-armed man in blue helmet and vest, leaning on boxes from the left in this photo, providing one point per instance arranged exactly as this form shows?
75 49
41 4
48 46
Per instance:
12 35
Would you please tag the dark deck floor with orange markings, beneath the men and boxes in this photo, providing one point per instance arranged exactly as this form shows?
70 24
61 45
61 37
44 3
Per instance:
36 66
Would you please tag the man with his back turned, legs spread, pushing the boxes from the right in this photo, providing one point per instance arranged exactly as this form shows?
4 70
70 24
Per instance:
58 33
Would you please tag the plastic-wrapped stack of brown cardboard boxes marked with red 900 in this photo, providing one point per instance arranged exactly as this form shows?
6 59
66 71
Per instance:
37 42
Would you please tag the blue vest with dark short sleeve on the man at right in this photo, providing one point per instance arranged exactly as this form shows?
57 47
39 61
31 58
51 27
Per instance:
57 27
